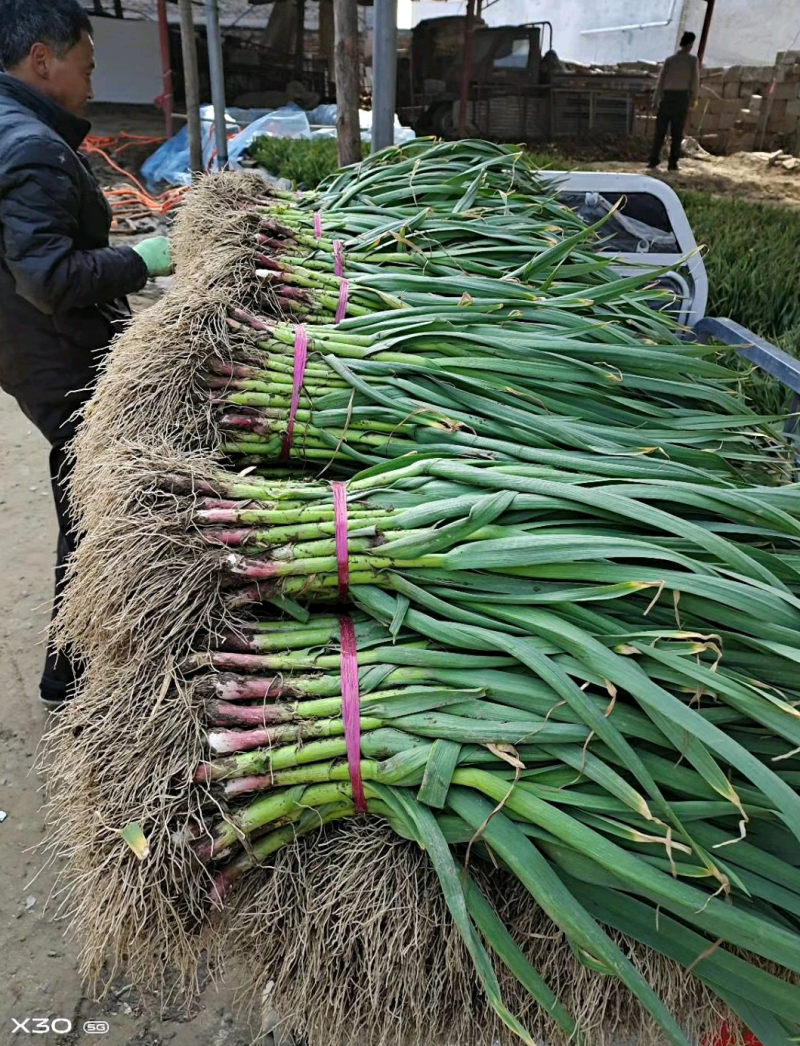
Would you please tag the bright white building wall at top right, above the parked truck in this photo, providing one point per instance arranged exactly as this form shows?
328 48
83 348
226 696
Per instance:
743 33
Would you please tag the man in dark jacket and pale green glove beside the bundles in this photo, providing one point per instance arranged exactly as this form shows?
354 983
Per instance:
62 287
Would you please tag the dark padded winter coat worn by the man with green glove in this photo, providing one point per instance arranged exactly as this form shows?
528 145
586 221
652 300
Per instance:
62 287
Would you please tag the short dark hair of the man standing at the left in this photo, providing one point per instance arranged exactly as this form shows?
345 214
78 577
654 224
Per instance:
58 24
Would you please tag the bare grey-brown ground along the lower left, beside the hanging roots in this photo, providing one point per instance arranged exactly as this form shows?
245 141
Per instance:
38 965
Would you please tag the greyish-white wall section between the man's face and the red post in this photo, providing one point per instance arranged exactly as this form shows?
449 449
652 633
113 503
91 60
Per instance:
129 61
